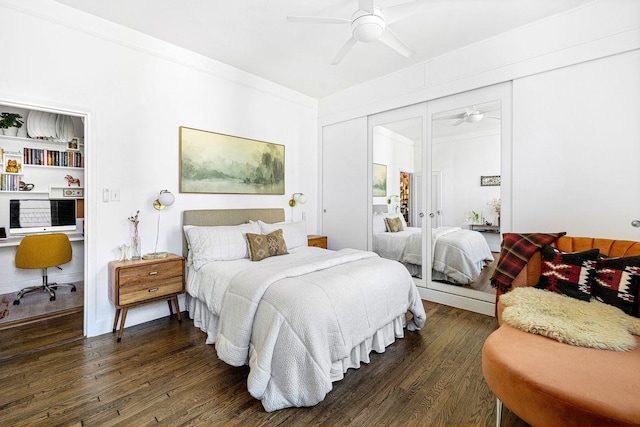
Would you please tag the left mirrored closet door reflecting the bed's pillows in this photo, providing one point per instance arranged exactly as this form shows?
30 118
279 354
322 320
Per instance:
396 146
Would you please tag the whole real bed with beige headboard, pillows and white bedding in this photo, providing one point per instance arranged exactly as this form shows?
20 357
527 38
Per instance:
299 320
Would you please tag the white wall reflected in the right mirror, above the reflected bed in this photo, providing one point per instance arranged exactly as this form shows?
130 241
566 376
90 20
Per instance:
462 161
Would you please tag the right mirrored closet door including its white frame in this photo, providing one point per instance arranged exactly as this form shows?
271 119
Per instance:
468 146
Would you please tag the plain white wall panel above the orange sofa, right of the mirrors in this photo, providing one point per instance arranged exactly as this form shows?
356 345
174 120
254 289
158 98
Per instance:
576 150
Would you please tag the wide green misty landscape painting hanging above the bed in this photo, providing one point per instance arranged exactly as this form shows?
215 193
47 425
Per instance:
216 163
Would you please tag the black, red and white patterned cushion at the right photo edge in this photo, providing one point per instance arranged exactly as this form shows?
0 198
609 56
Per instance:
617 281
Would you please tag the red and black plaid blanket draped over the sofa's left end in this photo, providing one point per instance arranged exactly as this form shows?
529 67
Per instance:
515 251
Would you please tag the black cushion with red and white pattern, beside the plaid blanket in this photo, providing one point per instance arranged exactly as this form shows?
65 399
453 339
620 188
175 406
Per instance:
569 274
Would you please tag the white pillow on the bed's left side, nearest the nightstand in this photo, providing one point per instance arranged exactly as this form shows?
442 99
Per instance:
218 243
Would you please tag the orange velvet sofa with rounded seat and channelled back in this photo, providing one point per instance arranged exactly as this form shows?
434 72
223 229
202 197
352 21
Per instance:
548 383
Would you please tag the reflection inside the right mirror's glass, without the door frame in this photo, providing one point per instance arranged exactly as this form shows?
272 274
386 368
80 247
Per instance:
465 155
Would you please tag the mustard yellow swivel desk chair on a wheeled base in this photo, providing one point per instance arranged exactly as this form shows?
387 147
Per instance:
43 251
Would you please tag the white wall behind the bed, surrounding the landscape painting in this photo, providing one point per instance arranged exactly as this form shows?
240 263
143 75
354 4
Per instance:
135 92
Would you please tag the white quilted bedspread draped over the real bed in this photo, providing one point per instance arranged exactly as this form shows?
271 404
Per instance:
291 318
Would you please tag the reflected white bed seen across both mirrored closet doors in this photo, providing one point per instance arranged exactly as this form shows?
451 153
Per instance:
458 255
